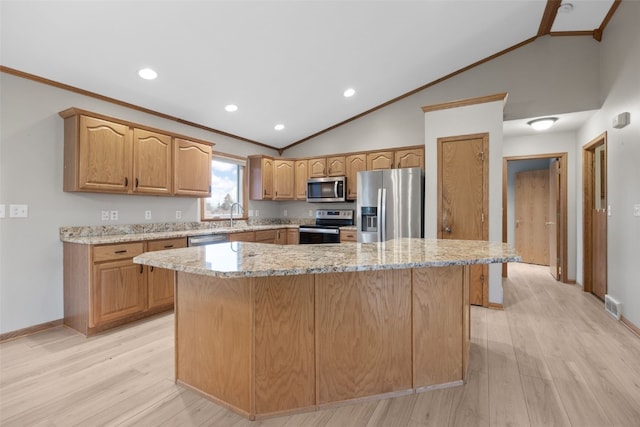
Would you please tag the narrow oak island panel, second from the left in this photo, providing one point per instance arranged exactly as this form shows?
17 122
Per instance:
284 343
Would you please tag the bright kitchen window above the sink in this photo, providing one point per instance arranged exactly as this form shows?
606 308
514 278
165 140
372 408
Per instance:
227 188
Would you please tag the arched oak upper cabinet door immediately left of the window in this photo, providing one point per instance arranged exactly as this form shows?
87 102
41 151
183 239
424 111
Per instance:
192 168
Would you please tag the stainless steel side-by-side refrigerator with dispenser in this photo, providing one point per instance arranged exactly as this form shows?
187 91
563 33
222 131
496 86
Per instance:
390 204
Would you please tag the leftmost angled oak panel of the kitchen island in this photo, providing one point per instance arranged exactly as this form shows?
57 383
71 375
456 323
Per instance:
214 347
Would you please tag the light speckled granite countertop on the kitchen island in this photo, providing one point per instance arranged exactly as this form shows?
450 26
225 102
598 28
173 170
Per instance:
240 259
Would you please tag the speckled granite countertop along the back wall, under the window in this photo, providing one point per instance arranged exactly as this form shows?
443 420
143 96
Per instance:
100 235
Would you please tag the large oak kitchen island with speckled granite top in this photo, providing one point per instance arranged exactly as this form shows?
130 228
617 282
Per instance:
272 329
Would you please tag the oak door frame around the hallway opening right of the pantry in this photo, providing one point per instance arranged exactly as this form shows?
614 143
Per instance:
563 205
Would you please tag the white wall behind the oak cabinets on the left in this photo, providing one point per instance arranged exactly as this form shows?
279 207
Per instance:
31 161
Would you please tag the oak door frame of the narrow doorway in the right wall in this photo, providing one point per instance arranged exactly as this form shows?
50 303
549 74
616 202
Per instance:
588 153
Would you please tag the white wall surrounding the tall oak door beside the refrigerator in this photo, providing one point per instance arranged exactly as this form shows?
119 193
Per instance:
479 118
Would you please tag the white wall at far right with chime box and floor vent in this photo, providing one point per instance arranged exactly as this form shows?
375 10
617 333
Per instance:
620 88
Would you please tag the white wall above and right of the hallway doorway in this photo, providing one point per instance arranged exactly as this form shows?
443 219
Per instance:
548 143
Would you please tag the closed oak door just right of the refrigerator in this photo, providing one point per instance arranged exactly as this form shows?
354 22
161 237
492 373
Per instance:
463 199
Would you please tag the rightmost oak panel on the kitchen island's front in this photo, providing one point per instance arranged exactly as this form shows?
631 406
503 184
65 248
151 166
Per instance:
438 318
